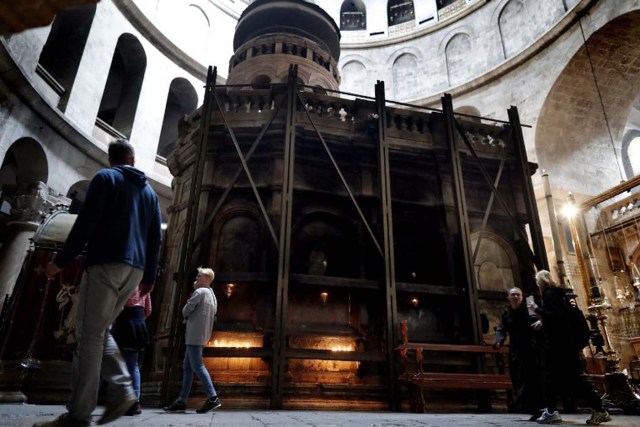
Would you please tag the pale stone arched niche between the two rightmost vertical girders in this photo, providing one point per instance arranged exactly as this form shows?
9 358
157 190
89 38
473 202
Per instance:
496 265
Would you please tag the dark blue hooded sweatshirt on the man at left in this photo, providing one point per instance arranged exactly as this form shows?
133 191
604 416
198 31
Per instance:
119 222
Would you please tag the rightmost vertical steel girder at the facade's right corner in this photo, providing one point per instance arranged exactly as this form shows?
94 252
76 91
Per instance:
540 254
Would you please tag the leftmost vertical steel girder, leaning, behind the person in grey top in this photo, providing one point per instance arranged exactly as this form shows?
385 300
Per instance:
186 253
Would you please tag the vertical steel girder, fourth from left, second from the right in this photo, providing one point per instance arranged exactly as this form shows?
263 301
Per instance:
462 217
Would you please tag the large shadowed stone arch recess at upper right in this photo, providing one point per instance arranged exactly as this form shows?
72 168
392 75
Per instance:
571 127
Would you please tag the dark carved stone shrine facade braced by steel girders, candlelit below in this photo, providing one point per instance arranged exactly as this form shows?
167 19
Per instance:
327 220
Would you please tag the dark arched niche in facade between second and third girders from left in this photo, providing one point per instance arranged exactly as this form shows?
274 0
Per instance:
325 244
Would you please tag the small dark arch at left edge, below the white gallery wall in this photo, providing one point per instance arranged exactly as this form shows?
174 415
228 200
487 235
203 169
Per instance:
25 162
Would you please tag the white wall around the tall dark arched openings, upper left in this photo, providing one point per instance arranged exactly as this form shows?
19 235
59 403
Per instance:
86 94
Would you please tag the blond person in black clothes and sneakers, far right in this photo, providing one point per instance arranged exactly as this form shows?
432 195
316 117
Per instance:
562 367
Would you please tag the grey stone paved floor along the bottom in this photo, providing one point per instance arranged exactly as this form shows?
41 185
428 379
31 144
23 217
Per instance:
20 415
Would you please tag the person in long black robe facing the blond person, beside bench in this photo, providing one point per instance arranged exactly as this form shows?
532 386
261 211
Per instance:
524 352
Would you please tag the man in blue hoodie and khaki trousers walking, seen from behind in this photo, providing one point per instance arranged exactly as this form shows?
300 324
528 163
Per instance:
120 224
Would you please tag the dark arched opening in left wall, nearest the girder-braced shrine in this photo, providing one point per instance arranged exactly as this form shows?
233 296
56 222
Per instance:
182 100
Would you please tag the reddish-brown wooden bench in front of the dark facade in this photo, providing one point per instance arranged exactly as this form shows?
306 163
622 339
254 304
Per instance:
477 378
